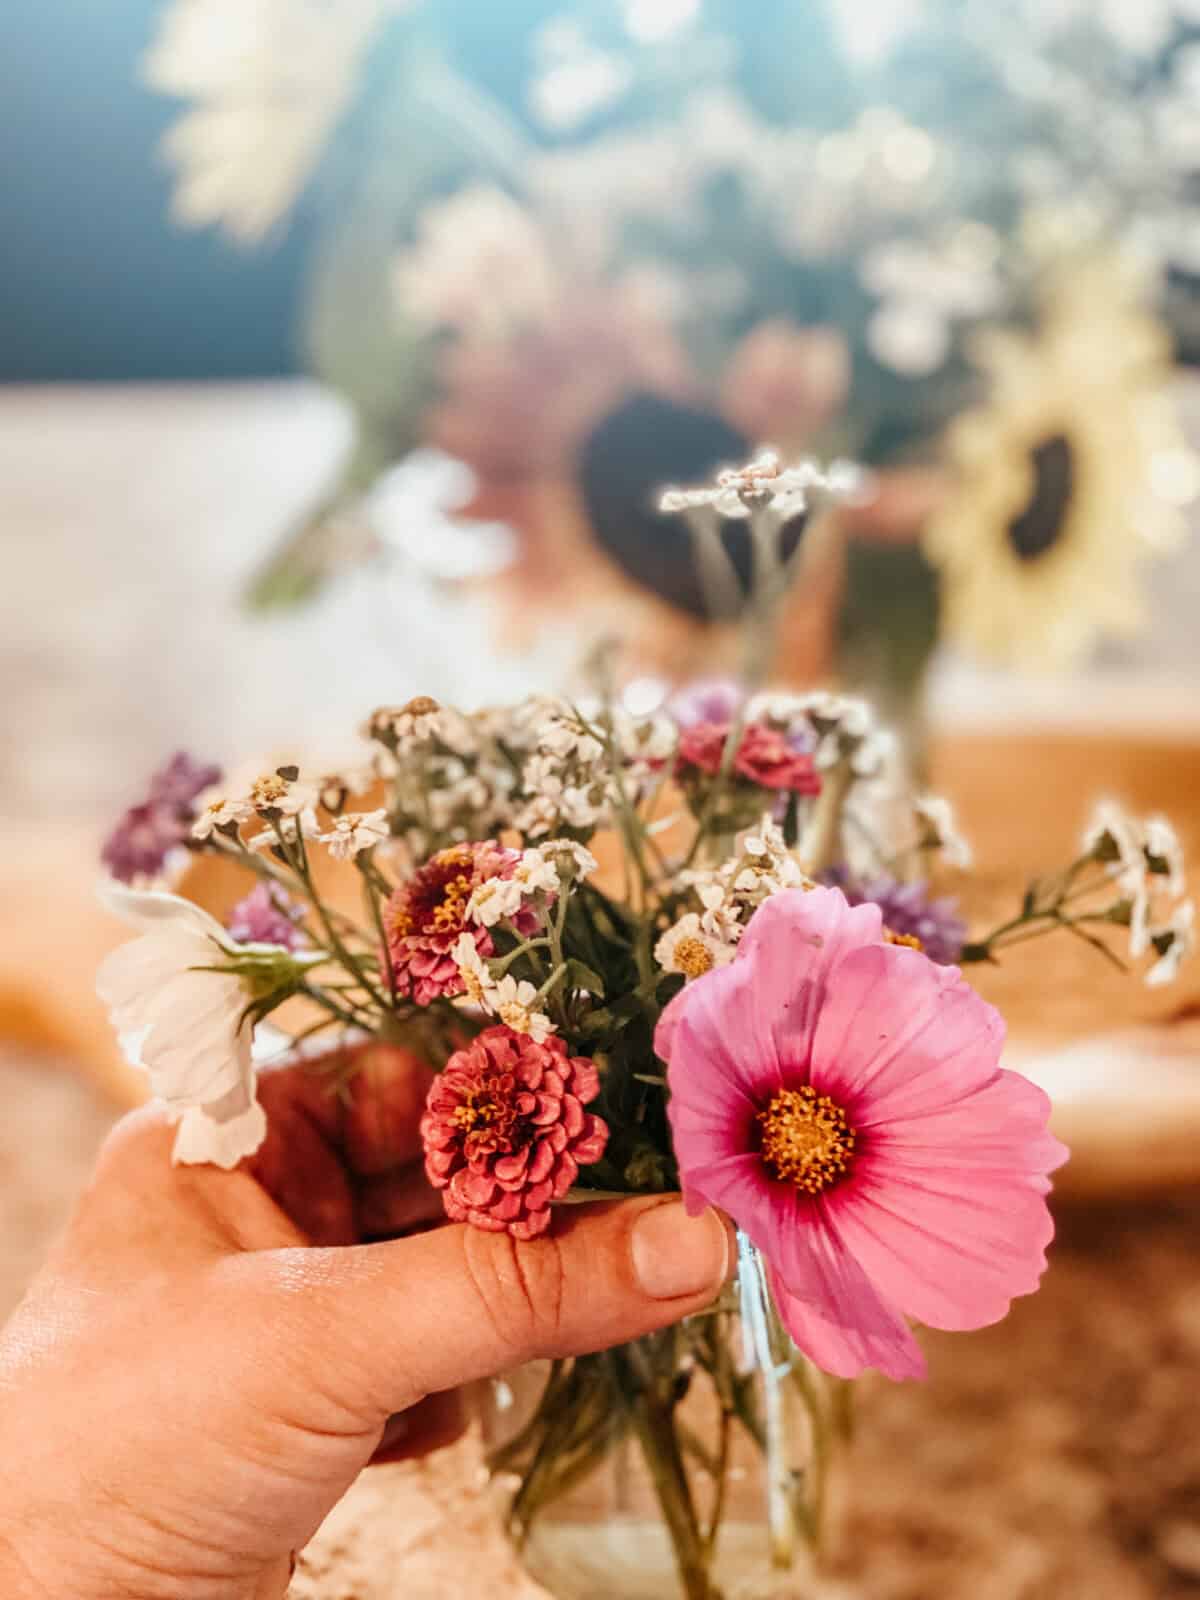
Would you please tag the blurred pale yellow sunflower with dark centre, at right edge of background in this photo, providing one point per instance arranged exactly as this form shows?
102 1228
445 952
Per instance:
1066 479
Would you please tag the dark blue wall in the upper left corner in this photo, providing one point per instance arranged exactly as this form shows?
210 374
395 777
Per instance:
95 281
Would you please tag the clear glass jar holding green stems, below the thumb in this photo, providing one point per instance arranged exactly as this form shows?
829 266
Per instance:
692 1465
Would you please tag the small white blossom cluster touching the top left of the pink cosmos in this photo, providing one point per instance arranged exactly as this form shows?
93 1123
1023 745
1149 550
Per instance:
729 897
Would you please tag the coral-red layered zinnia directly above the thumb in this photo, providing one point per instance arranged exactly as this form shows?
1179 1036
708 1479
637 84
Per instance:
506 1132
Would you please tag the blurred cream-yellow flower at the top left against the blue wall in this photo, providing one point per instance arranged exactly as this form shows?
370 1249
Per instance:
266 82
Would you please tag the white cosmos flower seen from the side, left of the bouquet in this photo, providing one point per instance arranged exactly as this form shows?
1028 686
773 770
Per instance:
182 1026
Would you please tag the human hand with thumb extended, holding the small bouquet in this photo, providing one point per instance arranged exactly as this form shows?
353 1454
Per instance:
210 1359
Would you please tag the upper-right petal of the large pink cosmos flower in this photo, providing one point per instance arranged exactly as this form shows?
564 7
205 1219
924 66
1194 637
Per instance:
884 1060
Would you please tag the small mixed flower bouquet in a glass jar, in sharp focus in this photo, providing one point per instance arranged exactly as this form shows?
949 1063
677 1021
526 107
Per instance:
652 951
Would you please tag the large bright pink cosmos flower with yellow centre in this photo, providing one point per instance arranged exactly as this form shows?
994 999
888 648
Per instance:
842 1100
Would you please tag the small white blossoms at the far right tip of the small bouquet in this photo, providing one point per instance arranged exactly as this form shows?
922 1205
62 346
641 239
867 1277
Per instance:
1146 863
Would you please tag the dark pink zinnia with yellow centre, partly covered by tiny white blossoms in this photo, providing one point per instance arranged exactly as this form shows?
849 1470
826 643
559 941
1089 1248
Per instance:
426 916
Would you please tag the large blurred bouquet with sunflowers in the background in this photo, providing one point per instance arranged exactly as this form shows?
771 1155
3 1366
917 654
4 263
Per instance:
593 249
